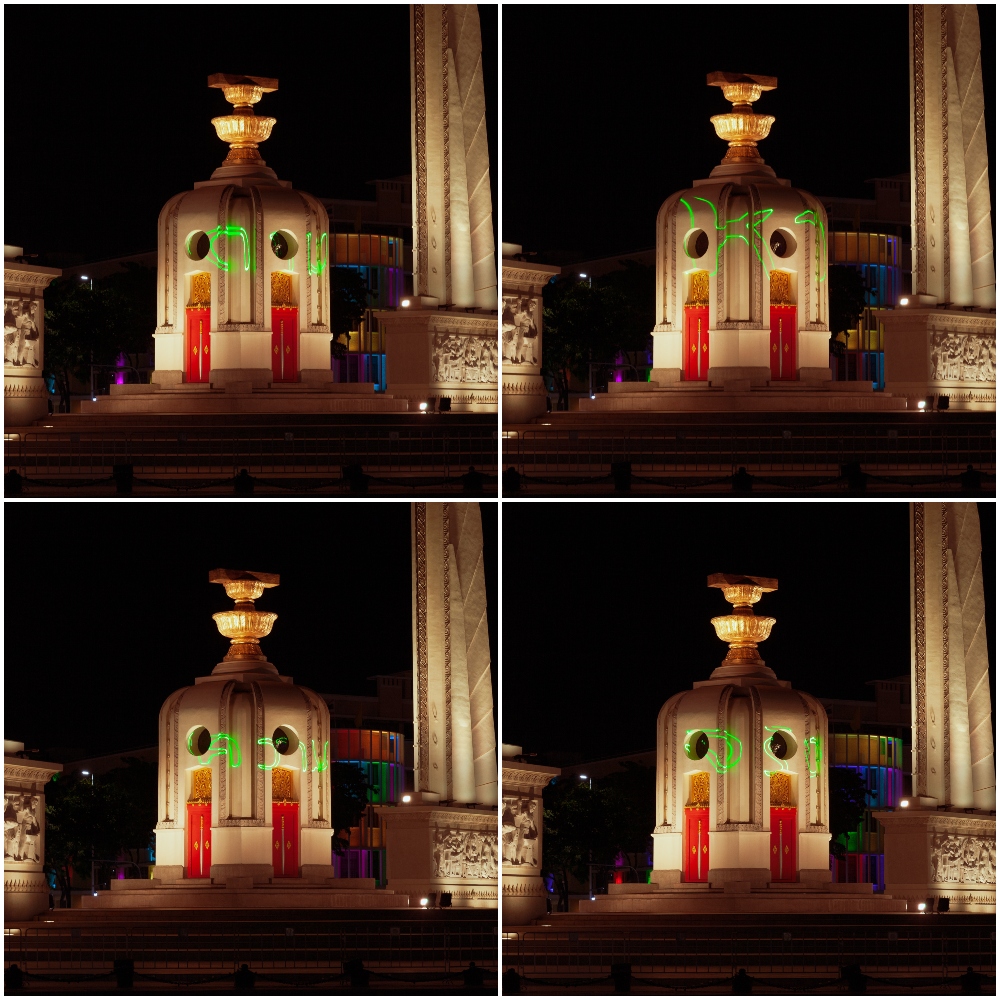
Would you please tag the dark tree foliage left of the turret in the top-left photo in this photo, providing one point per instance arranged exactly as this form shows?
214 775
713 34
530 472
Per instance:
87 325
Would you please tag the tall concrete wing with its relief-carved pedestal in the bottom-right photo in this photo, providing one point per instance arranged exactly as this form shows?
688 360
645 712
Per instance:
942 845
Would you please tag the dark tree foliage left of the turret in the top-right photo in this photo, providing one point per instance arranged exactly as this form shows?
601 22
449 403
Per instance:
596 322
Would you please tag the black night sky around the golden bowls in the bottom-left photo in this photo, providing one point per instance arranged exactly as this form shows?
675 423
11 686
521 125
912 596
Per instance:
109 608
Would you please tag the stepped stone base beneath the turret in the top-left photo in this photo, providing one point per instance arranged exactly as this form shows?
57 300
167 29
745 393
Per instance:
249 394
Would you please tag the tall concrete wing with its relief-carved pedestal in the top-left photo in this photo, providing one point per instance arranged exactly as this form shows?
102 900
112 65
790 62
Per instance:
443 344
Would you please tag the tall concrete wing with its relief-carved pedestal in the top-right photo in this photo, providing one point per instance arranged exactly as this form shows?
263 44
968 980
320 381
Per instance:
942 343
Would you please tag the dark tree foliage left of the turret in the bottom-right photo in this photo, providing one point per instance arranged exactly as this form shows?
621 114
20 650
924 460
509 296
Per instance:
595 823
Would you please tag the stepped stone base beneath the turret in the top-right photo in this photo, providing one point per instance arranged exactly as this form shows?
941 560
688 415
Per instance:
741 390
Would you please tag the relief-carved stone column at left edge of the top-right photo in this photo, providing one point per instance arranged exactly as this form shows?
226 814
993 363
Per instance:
523 390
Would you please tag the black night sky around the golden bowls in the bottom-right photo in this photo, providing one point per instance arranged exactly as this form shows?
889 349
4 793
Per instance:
607 614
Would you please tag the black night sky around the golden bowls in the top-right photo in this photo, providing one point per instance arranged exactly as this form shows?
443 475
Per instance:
606 110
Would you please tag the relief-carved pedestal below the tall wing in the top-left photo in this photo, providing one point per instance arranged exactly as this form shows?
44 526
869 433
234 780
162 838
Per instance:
434 353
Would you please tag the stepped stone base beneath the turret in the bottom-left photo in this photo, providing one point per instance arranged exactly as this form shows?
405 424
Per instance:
245 893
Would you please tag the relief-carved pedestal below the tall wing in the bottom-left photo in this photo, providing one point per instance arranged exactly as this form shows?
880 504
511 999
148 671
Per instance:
434 849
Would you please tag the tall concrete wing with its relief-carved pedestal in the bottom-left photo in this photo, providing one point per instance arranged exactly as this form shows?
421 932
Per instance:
444 841
